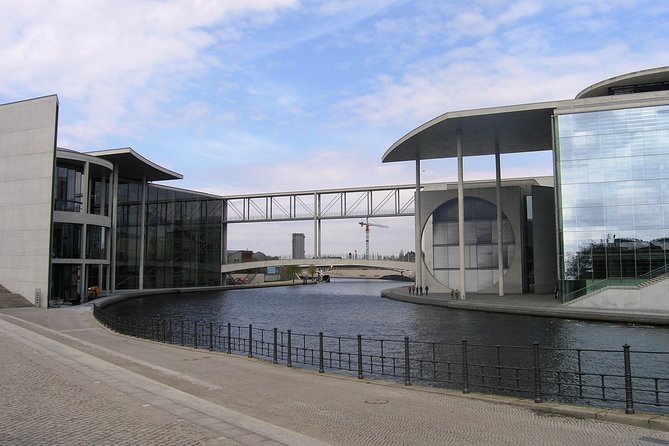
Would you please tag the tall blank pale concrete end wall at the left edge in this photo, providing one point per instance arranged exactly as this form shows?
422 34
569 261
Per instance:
27 151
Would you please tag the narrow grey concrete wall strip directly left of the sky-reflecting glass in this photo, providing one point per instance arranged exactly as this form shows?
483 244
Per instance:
545 248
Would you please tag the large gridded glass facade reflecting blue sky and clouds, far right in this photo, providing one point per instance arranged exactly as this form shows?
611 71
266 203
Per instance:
613 193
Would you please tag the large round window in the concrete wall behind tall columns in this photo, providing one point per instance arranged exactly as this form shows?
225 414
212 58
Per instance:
481 259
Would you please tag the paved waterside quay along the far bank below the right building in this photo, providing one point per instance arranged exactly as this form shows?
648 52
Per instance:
527 304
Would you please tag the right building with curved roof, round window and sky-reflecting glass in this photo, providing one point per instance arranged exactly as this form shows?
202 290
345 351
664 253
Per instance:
610 148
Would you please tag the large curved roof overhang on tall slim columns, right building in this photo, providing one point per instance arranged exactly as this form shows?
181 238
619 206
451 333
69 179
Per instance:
516 128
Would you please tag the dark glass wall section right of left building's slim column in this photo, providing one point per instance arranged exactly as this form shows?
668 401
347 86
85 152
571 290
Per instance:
183 239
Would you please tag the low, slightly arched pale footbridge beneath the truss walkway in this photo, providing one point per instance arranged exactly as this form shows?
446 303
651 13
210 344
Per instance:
393 265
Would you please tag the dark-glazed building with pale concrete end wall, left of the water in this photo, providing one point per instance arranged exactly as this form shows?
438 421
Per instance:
75 223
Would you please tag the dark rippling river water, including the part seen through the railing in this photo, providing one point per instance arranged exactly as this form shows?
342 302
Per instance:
343 309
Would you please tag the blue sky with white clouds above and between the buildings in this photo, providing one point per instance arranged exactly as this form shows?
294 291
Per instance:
260 96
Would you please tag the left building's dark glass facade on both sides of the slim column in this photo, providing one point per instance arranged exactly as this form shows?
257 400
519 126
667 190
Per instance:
182 238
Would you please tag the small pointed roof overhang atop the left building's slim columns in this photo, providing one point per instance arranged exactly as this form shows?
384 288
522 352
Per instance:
133 166
